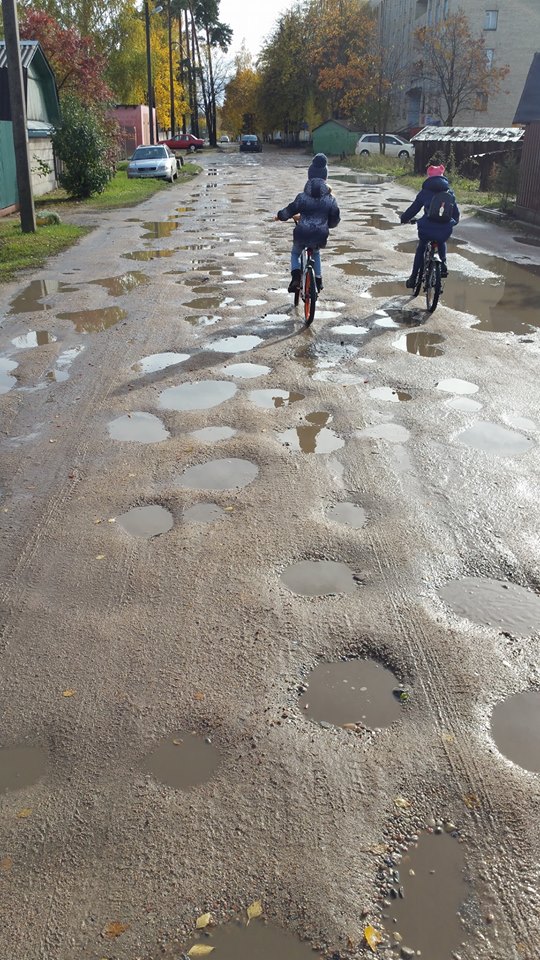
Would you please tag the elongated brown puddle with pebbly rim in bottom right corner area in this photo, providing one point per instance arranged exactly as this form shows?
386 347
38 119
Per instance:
431 876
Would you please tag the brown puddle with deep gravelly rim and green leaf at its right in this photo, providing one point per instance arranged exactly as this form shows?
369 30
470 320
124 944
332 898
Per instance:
351 691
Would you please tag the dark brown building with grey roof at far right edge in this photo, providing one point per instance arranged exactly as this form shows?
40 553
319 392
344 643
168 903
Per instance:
528 112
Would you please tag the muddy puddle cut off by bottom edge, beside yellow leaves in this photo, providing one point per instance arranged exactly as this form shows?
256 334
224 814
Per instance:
254 941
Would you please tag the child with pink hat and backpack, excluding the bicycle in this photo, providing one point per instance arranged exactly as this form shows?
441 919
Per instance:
441 214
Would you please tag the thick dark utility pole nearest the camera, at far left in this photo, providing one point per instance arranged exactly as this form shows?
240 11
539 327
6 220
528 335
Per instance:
18 116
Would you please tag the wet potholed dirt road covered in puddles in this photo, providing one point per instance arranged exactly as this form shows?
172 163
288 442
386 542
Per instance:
398 455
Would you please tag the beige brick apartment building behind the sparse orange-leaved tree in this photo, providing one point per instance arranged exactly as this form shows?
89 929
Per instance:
511 32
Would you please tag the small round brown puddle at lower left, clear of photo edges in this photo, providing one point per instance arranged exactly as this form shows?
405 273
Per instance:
182 760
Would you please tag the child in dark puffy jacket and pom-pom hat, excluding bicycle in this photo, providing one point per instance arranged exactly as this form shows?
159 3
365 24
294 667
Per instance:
316 212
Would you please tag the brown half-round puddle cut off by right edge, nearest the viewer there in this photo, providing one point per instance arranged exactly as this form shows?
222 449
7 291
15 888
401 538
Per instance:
515 725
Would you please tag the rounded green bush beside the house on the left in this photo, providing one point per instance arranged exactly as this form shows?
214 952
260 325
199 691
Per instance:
85 145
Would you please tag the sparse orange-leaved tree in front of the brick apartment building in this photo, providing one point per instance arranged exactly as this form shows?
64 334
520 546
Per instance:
455 64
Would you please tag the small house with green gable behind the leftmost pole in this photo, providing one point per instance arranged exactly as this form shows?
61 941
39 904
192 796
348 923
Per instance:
42 113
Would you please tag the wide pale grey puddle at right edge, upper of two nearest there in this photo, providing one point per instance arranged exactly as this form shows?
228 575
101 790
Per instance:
494 603
